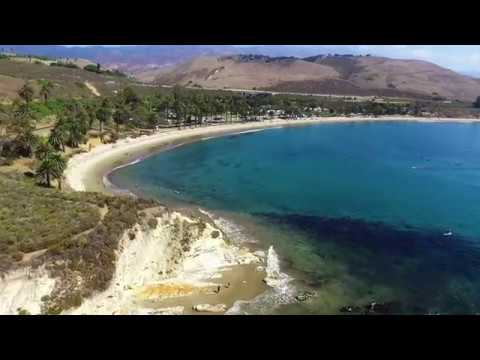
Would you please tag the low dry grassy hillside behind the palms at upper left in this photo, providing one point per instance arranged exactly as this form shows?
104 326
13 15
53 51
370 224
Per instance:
68 82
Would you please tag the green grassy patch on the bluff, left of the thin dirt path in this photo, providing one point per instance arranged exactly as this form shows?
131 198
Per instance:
33 218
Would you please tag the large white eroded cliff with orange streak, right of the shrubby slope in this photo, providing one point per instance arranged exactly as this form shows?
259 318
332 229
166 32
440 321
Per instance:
177 257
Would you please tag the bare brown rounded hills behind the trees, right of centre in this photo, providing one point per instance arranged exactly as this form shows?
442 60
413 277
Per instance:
343 75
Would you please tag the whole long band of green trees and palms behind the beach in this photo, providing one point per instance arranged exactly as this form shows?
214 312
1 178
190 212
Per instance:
166 107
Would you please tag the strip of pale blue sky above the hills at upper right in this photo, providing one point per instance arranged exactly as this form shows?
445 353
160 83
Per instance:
461 58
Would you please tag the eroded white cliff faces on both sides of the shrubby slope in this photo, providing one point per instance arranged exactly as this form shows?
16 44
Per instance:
168 256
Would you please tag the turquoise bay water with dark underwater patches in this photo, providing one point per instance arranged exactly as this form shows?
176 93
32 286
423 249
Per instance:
358 210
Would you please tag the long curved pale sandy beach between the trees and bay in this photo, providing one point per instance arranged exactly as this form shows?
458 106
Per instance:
86 171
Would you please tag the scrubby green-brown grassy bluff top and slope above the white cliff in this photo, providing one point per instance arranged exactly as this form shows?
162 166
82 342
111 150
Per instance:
79 231
